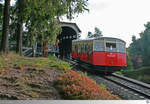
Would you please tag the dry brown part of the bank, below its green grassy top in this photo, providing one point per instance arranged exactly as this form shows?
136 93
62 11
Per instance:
28 83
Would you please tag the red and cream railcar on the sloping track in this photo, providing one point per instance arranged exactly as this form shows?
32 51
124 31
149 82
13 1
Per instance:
104 54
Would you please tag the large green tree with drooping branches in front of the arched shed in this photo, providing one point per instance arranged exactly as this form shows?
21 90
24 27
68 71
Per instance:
42 18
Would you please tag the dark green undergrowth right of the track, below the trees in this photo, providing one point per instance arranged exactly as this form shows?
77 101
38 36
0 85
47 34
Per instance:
142 74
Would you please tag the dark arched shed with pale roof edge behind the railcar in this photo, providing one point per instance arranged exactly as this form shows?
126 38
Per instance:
70 31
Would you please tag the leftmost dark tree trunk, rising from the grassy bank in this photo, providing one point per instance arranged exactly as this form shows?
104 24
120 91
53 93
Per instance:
4 41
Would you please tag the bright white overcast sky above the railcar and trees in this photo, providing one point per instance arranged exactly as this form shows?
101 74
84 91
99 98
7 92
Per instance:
115 18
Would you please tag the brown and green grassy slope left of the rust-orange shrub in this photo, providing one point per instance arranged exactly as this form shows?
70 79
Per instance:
28 77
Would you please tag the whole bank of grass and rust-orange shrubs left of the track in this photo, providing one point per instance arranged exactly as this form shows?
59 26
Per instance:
34 75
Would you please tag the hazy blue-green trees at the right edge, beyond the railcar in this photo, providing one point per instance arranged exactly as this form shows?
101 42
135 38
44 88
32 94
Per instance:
139 48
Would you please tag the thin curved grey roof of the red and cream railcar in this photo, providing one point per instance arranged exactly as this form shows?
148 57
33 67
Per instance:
101 38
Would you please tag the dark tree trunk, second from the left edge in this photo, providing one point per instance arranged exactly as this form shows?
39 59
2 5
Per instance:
19 28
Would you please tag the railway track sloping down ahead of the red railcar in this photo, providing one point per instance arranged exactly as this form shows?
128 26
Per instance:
140 88
